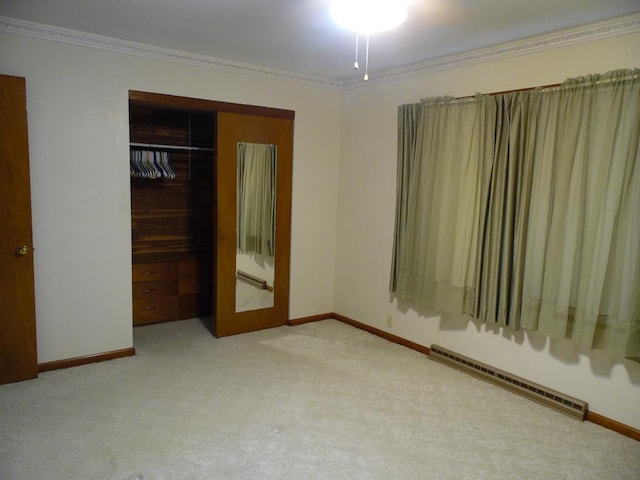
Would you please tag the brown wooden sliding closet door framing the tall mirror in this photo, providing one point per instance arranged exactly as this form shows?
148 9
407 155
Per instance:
234 128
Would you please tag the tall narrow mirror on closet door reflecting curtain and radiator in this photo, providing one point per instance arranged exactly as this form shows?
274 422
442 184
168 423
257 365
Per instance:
255 226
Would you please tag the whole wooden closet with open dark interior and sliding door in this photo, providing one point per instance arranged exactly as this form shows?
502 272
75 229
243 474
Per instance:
183 169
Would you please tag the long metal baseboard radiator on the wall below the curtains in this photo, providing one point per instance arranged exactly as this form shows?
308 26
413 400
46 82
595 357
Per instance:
551 398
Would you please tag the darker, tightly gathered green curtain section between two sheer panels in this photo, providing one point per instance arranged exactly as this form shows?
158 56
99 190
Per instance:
504 229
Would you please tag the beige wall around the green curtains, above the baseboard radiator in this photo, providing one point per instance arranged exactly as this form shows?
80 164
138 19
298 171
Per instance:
366 215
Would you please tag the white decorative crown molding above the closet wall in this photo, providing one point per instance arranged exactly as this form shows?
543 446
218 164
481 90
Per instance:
83 39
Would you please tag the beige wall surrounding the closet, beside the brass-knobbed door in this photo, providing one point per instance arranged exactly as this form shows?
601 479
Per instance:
78 139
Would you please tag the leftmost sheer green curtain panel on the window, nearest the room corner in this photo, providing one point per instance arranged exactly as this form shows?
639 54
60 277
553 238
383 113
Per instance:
441 182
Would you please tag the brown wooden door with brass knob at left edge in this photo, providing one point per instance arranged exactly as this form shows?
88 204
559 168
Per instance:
18 355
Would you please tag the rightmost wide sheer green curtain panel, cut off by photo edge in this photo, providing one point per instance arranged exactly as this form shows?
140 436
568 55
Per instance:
582 256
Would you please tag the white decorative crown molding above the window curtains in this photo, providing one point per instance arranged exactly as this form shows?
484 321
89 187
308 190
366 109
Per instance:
586 33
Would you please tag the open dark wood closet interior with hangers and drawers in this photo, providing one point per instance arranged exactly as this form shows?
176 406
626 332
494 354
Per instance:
172 172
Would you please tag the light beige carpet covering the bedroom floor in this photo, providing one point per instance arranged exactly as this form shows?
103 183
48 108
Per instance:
317 401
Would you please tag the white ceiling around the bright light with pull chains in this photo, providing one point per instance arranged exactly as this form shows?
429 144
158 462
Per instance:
299 36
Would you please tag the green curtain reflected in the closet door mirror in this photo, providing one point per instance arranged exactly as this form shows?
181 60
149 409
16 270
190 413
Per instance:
256 198
